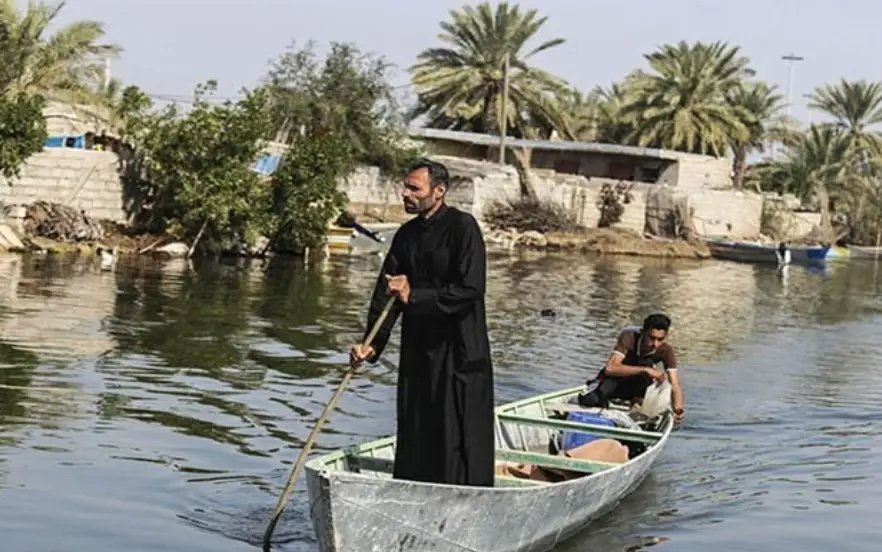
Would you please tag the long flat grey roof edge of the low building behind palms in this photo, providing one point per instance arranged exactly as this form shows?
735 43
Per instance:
549 145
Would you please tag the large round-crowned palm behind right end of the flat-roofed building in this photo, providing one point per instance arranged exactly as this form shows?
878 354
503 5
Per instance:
682 105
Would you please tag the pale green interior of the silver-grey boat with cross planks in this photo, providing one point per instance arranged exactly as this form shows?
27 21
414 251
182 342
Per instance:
524 431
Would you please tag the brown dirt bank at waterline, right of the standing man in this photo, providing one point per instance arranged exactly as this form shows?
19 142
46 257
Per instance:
598 240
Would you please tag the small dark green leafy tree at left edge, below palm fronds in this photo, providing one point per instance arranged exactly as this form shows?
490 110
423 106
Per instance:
22 131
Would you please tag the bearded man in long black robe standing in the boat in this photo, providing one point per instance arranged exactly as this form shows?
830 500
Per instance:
436 265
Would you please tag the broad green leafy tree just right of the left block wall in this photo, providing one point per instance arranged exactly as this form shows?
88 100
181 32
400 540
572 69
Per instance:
197 167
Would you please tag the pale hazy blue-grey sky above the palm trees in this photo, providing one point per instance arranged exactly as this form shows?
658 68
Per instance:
171 45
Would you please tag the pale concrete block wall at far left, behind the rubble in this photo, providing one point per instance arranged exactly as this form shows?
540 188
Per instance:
84 179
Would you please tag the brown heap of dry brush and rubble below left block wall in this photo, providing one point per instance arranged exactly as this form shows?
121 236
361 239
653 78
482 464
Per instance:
60 223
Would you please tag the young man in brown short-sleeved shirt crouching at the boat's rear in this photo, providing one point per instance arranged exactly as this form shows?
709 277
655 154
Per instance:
631 367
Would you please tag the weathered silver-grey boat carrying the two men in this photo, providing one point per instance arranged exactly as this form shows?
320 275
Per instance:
357 506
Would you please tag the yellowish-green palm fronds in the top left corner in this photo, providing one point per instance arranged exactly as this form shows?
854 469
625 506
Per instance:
64 66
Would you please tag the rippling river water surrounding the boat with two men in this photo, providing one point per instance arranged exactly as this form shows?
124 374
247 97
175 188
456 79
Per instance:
159 406
